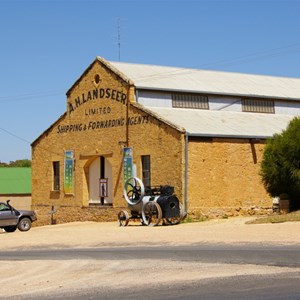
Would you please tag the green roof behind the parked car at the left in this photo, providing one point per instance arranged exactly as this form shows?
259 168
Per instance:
15 180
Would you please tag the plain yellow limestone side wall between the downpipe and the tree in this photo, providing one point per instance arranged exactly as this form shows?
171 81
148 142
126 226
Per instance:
224 176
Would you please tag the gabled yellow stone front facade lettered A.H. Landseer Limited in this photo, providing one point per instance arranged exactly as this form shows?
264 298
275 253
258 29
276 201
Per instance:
101 119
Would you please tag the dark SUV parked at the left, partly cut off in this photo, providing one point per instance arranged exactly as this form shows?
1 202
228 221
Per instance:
11 219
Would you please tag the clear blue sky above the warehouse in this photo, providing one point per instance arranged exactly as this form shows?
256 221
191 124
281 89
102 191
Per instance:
47 45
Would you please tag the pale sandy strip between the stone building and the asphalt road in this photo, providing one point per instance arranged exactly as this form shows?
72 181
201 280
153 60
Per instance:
91 234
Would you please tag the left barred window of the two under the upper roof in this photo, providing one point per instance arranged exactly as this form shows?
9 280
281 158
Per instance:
190 101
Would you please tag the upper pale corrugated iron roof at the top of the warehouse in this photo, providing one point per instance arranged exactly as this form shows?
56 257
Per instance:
210 82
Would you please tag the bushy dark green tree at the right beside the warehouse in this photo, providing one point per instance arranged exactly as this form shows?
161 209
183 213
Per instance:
280 167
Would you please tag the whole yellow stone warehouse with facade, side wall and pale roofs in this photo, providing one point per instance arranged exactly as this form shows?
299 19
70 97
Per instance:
202 132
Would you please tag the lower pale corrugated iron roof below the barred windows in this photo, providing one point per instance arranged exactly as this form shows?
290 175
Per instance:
224 123
